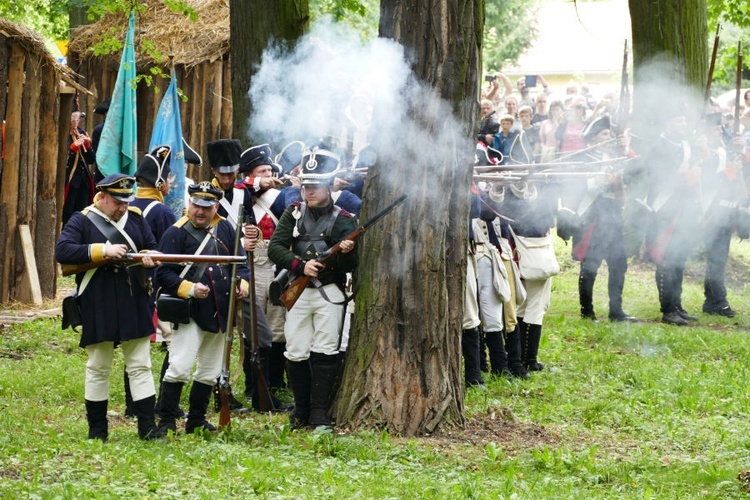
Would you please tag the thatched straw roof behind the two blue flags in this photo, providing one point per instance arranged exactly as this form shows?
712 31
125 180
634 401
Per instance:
191 43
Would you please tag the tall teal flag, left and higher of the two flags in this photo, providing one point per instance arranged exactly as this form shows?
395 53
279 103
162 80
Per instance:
118 147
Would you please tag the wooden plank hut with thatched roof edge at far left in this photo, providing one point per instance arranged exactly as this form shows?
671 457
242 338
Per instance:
33 141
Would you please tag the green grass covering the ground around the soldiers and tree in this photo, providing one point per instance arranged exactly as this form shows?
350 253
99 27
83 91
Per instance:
623 411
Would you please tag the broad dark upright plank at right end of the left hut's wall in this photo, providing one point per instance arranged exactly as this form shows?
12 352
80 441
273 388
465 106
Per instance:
46 193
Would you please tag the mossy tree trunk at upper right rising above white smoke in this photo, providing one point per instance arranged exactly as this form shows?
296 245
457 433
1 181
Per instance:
670 55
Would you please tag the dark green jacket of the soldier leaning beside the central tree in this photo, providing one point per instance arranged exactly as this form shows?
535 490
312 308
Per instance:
280 253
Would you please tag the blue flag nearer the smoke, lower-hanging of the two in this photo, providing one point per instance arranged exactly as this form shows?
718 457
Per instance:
168 131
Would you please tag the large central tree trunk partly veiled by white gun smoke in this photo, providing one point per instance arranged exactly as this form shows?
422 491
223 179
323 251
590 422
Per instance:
403 368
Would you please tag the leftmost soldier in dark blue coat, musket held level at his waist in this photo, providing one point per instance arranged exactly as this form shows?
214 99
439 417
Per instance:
114 299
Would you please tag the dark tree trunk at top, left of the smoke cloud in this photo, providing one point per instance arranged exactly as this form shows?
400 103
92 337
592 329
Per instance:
252 24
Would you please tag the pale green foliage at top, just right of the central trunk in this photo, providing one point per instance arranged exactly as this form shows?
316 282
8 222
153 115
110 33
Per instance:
509 29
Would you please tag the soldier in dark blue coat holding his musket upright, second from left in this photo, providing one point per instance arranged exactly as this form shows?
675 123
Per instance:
199 341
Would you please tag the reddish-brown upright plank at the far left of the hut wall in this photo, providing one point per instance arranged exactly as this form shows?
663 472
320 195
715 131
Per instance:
9 181
